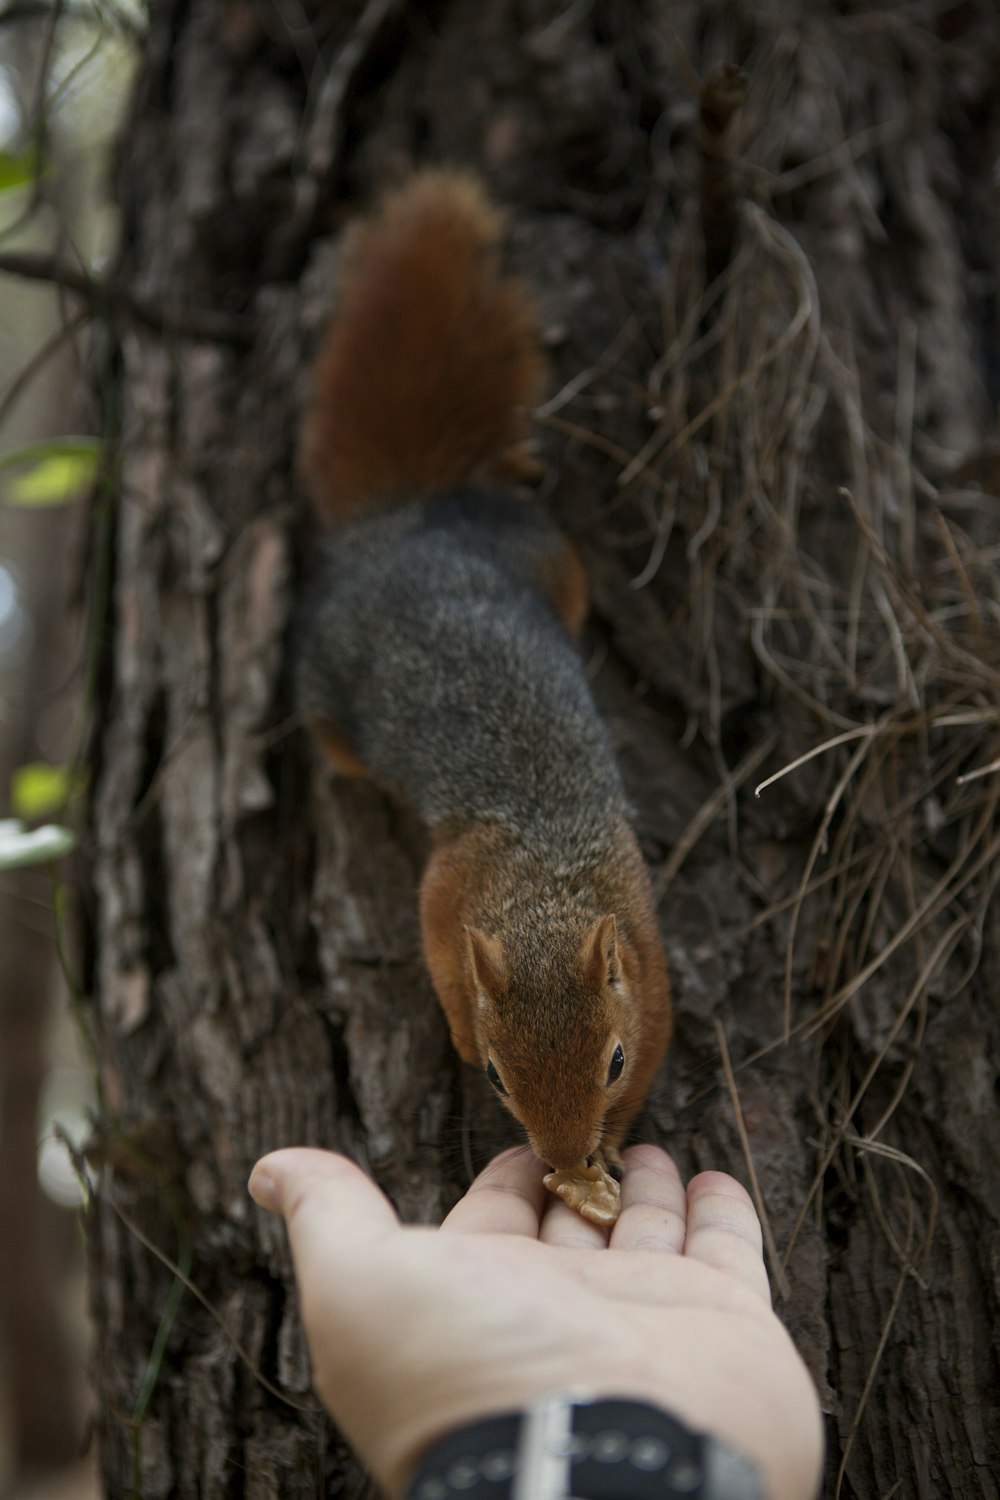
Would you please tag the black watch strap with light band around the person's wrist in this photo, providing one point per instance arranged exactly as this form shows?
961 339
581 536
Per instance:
567 1447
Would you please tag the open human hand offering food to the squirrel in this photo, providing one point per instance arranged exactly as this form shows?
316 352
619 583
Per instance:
418 1331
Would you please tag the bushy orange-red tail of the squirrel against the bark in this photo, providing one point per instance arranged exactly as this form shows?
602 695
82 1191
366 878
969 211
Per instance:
431 358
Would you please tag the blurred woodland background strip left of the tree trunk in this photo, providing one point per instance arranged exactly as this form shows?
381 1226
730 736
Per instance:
65 73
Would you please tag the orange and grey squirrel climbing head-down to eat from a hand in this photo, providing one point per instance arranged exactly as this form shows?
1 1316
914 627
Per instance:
439 658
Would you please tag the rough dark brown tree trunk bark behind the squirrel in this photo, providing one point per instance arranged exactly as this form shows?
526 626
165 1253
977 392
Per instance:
759 479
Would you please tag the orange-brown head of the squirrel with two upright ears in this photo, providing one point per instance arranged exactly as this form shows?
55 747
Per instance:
555 1027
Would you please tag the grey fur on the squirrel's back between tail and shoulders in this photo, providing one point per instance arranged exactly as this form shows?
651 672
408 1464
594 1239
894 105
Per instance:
427 643
